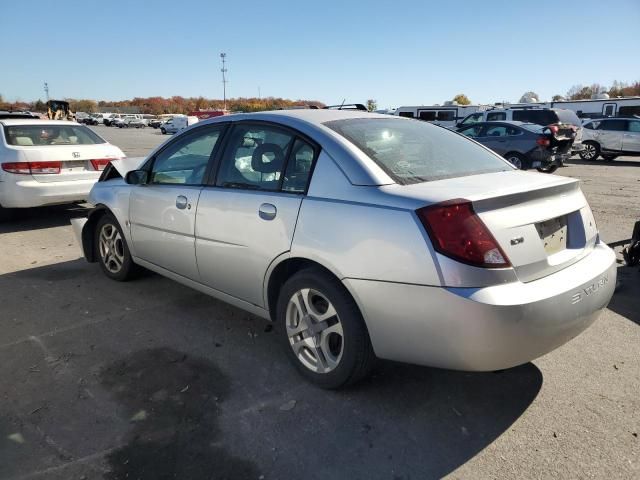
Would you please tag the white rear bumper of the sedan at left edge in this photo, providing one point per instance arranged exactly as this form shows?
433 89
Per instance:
27 192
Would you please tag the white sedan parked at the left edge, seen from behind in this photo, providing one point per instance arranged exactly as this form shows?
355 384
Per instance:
45 162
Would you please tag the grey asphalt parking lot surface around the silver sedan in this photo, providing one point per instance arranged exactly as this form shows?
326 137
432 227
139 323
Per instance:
152 380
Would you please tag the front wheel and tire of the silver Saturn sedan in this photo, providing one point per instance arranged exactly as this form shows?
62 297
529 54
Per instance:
112 251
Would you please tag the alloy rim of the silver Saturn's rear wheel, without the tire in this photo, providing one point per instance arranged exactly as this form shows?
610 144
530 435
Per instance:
314 330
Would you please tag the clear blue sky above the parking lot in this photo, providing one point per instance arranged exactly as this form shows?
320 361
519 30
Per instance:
397 52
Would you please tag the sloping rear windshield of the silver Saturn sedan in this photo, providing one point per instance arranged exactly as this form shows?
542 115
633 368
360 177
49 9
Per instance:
411 151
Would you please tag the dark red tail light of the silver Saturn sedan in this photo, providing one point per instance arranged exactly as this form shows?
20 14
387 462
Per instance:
457 232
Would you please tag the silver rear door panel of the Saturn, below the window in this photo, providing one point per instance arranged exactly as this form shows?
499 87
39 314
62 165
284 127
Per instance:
237 238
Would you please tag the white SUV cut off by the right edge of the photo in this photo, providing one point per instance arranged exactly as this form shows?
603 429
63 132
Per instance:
611 137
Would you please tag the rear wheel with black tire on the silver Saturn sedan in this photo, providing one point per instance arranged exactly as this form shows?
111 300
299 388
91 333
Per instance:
323 331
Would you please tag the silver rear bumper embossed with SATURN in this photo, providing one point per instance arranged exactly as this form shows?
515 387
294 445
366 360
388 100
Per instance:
490 328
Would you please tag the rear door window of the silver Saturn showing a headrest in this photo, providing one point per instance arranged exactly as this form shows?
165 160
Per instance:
254 158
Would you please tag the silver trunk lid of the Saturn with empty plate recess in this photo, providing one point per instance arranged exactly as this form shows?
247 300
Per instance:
541 222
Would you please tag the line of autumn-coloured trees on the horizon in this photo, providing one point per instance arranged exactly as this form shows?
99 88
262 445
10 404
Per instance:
161 105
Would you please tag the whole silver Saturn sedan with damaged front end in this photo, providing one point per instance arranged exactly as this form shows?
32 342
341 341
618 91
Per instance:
361 236
